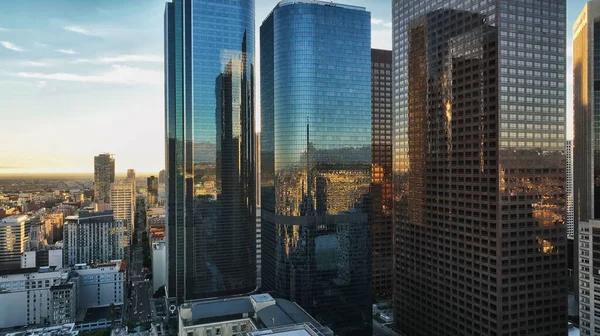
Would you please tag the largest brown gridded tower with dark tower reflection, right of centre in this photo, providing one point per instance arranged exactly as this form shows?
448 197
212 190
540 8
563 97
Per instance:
479 164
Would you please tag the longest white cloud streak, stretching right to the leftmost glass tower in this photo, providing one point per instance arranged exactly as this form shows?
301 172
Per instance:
118 74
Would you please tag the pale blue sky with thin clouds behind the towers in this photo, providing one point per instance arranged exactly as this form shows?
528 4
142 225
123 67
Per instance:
82 77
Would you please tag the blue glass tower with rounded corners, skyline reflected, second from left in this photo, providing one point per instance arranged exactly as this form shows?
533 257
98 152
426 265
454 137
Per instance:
316 160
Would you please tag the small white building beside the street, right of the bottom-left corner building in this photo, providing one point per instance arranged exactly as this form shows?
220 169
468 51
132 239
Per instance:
99 286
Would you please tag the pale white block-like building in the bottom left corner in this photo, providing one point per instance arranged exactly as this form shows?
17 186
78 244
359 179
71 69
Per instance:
31 296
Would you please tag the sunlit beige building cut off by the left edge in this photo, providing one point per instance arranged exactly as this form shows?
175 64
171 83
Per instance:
13 239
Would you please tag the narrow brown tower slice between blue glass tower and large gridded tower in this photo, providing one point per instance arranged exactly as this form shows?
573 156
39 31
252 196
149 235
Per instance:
381 173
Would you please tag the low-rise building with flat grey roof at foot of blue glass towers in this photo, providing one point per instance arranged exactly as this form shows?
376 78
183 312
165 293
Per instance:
240 316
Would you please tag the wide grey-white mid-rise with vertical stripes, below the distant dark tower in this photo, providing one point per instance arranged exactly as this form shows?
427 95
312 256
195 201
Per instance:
93 237
